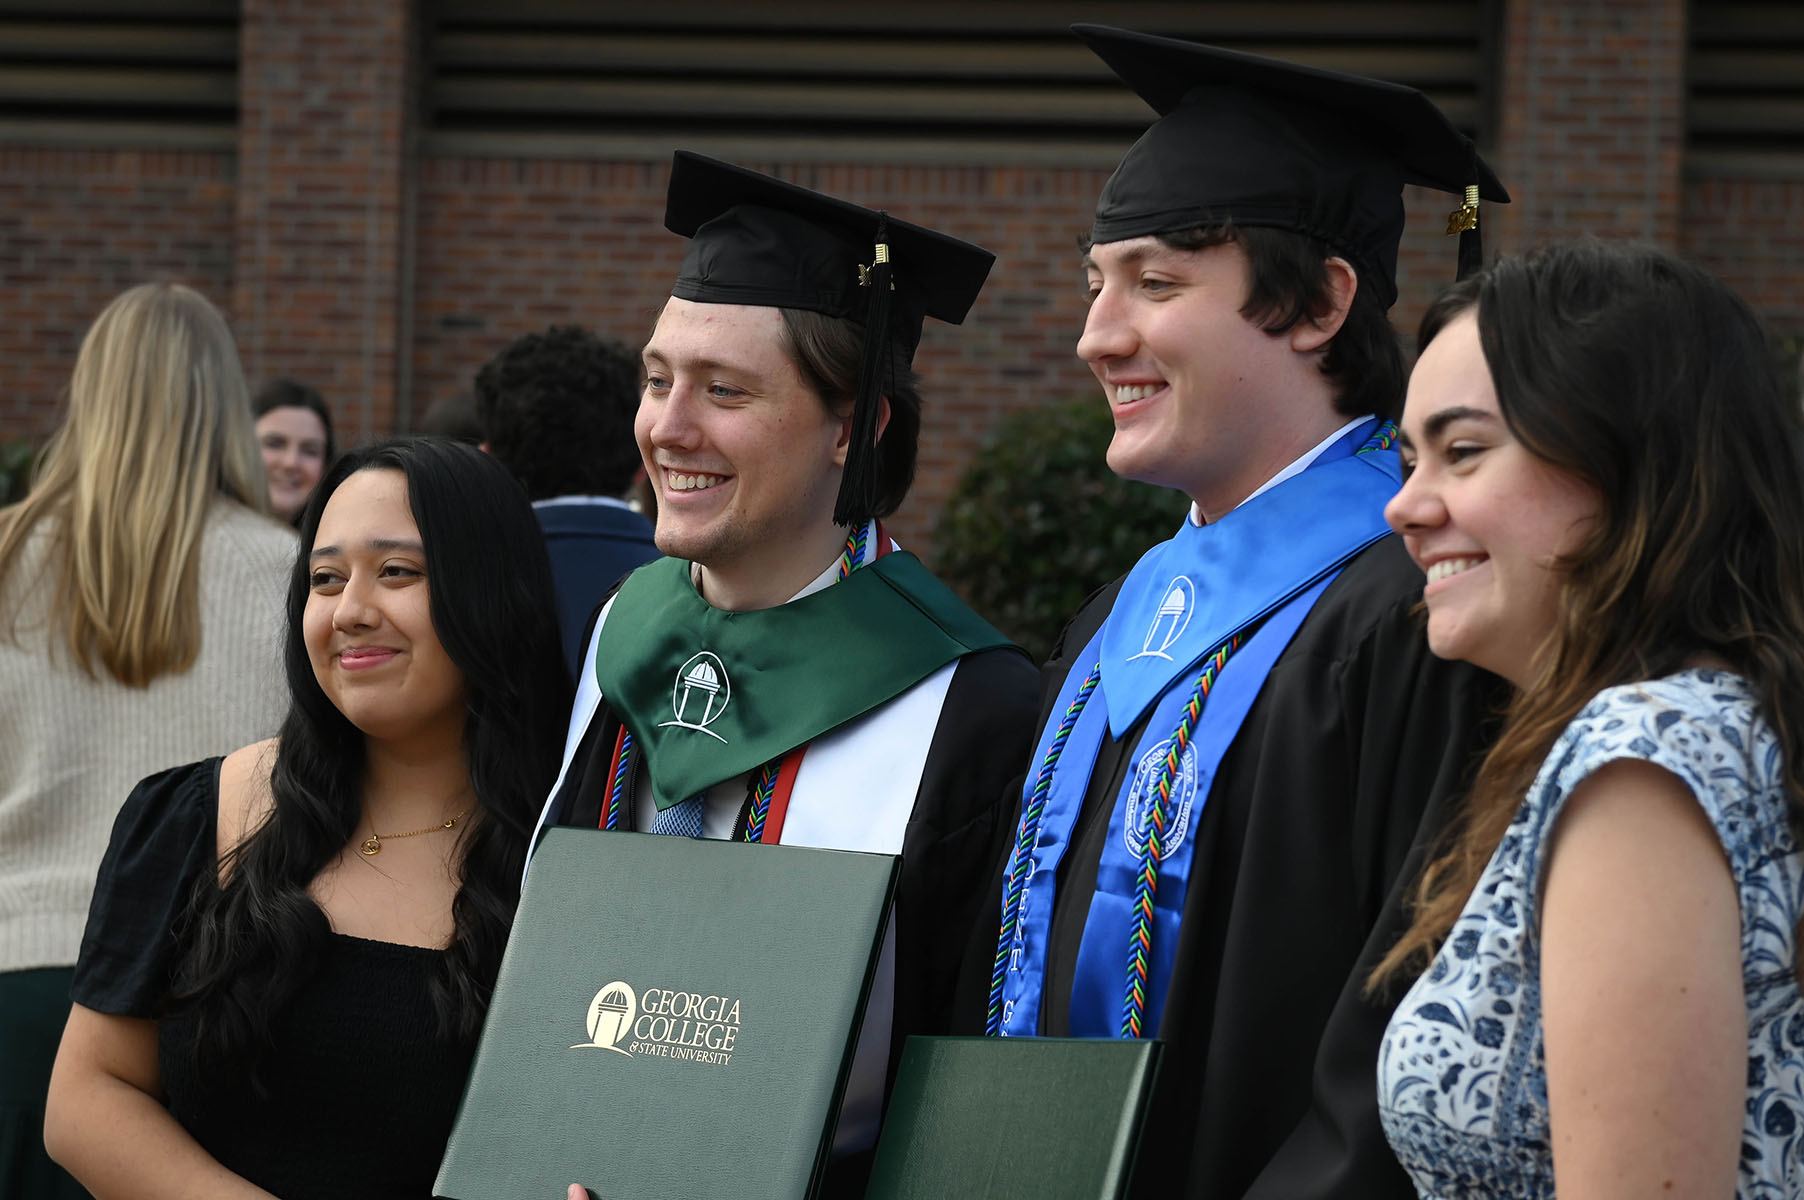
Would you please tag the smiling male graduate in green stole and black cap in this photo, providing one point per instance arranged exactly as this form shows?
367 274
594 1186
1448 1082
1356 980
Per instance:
787 674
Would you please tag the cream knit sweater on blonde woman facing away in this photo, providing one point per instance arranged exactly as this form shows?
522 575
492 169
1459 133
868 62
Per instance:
71 746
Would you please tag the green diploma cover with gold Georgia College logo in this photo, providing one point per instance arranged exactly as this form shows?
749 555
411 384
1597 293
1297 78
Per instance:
674 1019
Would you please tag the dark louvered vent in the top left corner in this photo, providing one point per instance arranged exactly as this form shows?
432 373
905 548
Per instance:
120 73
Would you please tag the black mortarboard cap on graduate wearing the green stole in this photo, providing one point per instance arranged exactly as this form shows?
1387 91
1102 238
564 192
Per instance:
759 241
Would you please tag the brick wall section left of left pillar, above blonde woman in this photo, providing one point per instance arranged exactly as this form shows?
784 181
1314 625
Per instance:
78 228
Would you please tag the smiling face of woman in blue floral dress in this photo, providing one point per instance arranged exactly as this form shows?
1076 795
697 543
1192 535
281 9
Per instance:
1487 521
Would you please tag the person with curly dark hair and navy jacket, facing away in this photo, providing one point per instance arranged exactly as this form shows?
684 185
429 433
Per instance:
557 409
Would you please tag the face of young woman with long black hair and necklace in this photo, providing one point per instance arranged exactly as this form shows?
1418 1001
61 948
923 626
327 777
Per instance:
369 625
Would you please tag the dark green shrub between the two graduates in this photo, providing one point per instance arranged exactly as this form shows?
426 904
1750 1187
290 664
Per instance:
1040 522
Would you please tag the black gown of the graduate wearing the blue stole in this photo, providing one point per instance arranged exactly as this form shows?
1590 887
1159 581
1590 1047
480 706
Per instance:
1356 752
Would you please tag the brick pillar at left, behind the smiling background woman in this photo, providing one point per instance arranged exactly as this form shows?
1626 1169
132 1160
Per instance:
324 100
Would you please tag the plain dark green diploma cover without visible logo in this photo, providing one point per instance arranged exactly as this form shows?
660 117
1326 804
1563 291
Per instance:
1015 1120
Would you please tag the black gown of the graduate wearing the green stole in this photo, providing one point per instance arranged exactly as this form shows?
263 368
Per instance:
962 811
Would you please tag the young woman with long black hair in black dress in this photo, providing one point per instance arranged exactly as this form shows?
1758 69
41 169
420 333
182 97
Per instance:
291 950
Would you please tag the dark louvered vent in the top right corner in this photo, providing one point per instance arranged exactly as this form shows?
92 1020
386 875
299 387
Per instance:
1745 111
